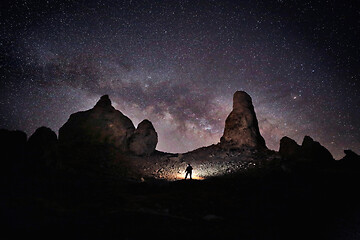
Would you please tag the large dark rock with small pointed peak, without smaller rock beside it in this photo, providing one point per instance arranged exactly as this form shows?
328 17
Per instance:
94 135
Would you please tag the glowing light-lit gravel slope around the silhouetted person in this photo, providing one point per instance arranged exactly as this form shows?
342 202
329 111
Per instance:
207 162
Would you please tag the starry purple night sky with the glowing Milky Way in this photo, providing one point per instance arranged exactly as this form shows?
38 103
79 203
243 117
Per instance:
178 63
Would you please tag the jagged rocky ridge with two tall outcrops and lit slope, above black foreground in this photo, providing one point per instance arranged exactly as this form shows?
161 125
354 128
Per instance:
103 138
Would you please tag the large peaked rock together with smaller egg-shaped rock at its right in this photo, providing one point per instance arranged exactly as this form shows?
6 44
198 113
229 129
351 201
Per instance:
104 136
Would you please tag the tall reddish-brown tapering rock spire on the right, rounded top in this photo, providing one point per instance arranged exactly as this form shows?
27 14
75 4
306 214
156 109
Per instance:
241 126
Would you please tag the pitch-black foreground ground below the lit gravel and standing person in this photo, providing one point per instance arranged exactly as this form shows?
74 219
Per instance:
258 204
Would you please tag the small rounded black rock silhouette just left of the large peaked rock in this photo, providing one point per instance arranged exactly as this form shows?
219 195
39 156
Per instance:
42 147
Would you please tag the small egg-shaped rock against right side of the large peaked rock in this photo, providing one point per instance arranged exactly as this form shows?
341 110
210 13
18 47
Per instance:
144 139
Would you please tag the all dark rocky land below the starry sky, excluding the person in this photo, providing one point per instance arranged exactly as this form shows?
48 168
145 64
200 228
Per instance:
103 178
